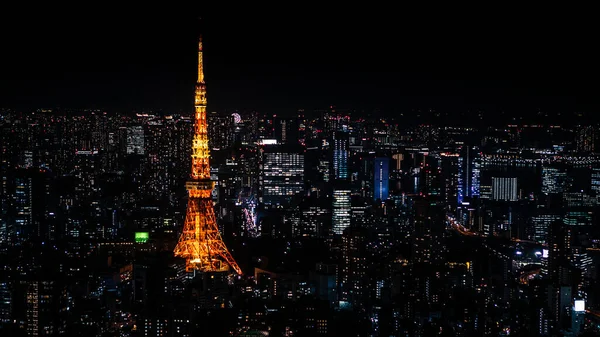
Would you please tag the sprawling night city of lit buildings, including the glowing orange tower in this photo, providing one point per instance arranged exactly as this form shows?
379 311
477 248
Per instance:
331 222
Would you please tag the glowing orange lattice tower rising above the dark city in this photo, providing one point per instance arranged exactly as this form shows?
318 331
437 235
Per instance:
200 242
